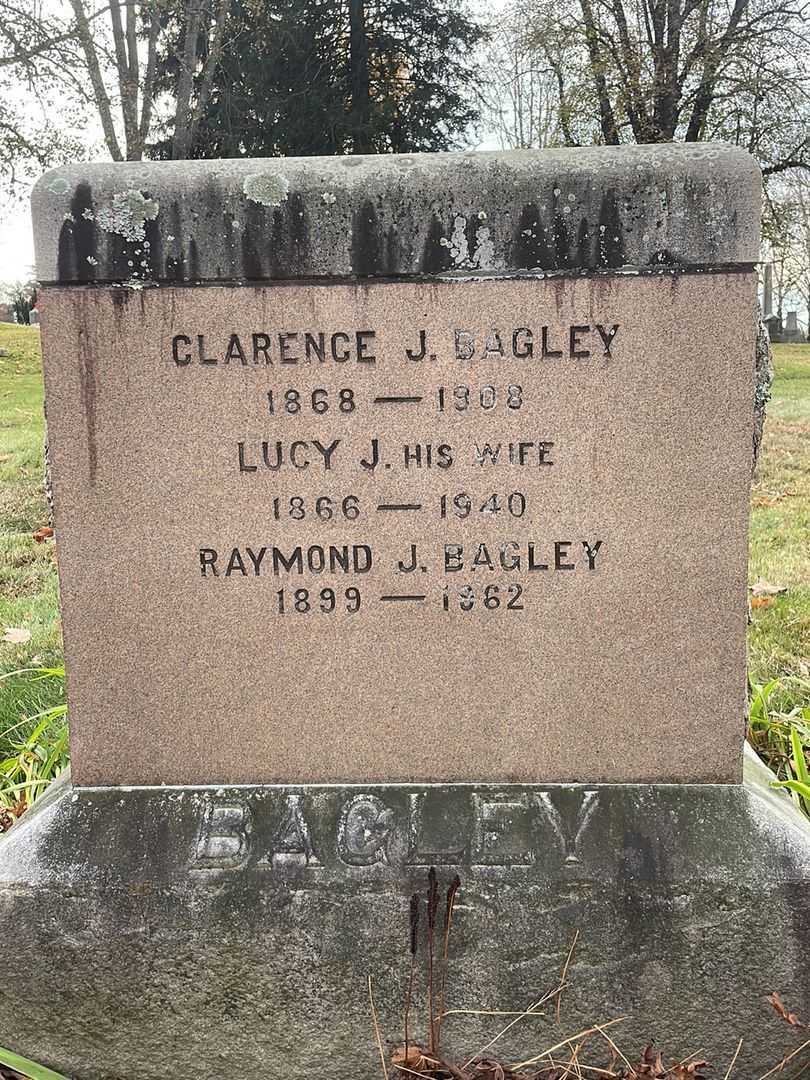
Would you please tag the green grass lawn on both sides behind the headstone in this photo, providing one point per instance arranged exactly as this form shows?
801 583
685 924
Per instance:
780 539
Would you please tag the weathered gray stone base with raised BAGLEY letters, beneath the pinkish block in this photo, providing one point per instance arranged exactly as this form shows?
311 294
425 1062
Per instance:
198 934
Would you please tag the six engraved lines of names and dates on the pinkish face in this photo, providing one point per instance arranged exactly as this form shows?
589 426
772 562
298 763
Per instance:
518 553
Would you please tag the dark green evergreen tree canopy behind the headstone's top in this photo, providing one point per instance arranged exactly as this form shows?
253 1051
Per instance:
325 77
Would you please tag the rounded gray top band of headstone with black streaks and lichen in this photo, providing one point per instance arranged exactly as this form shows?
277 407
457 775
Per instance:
597 209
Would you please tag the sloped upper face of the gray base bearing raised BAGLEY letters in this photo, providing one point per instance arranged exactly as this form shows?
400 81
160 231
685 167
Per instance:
274 834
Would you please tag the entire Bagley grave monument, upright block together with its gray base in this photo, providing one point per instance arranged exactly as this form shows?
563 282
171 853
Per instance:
410 494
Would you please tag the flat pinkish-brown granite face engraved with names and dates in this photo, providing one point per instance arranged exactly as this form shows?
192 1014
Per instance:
578 616
